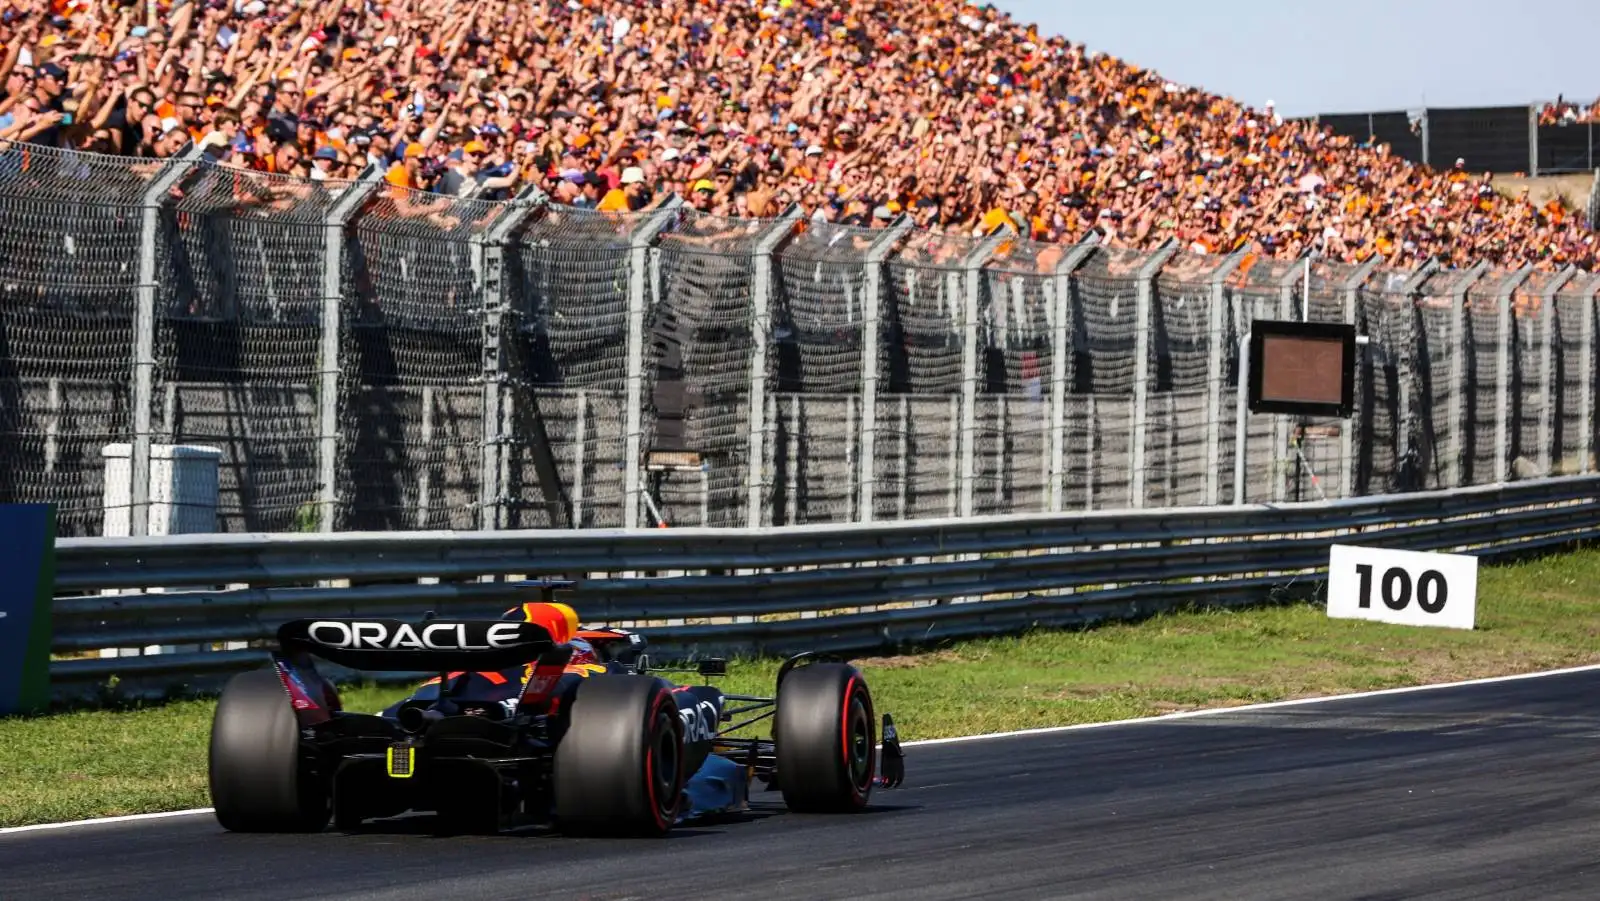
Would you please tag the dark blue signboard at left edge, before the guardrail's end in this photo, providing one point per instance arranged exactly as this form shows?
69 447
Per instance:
28 580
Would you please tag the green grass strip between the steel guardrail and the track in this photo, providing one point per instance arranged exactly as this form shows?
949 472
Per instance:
1537 615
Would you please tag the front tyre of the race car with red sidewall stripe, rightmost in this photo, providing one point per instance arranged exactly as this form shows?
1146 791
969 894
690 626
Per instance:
826 740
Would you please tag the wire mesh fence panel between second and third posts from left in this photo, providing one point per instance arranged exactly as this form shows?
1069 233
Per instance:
412 409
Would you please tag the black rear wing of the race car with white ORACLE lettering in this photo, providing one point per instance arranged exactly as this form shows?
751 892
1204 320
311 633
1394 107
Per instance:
434 646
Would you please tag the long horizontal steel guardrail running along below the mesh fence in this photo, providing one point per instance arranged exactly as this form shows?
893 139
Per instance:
759 591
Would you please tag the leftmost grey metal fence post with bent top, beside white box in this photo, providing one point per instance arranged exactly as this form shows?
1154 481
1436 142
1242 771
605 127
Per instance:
156 193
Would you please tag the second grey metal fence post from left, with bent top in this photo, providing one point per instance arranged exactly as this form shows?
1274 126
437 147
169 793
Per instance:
335 223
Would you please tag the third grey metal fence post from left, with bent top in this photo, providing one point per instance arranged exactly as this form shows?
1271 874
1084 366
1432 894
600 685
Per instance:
489 255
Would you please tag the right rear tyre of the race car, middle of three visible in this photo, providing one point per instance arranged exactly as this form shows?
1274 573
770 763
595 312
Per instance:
620 767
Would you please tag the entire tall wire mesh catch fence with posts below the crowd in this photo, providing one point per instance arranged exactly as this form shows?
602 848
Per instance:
356 356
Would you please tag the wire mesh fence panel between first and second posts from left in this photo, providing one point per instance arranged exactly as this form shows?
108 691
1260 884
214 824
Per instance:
238 337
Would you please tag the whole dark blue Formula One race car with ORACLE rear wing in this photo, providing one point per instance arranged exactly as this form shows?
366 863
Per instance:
530 721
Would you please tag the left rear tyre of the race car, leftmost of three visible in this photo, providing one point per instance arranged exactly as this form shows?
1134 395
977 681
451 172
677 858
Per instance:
258 779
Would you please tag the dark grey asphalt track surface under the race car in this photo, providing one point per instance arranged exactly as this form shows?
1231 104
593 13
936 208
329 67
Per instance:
1482 791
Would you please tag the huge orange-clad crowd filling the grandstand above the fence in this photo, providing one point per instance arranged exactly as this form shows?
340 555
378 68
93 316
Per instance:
857 110
